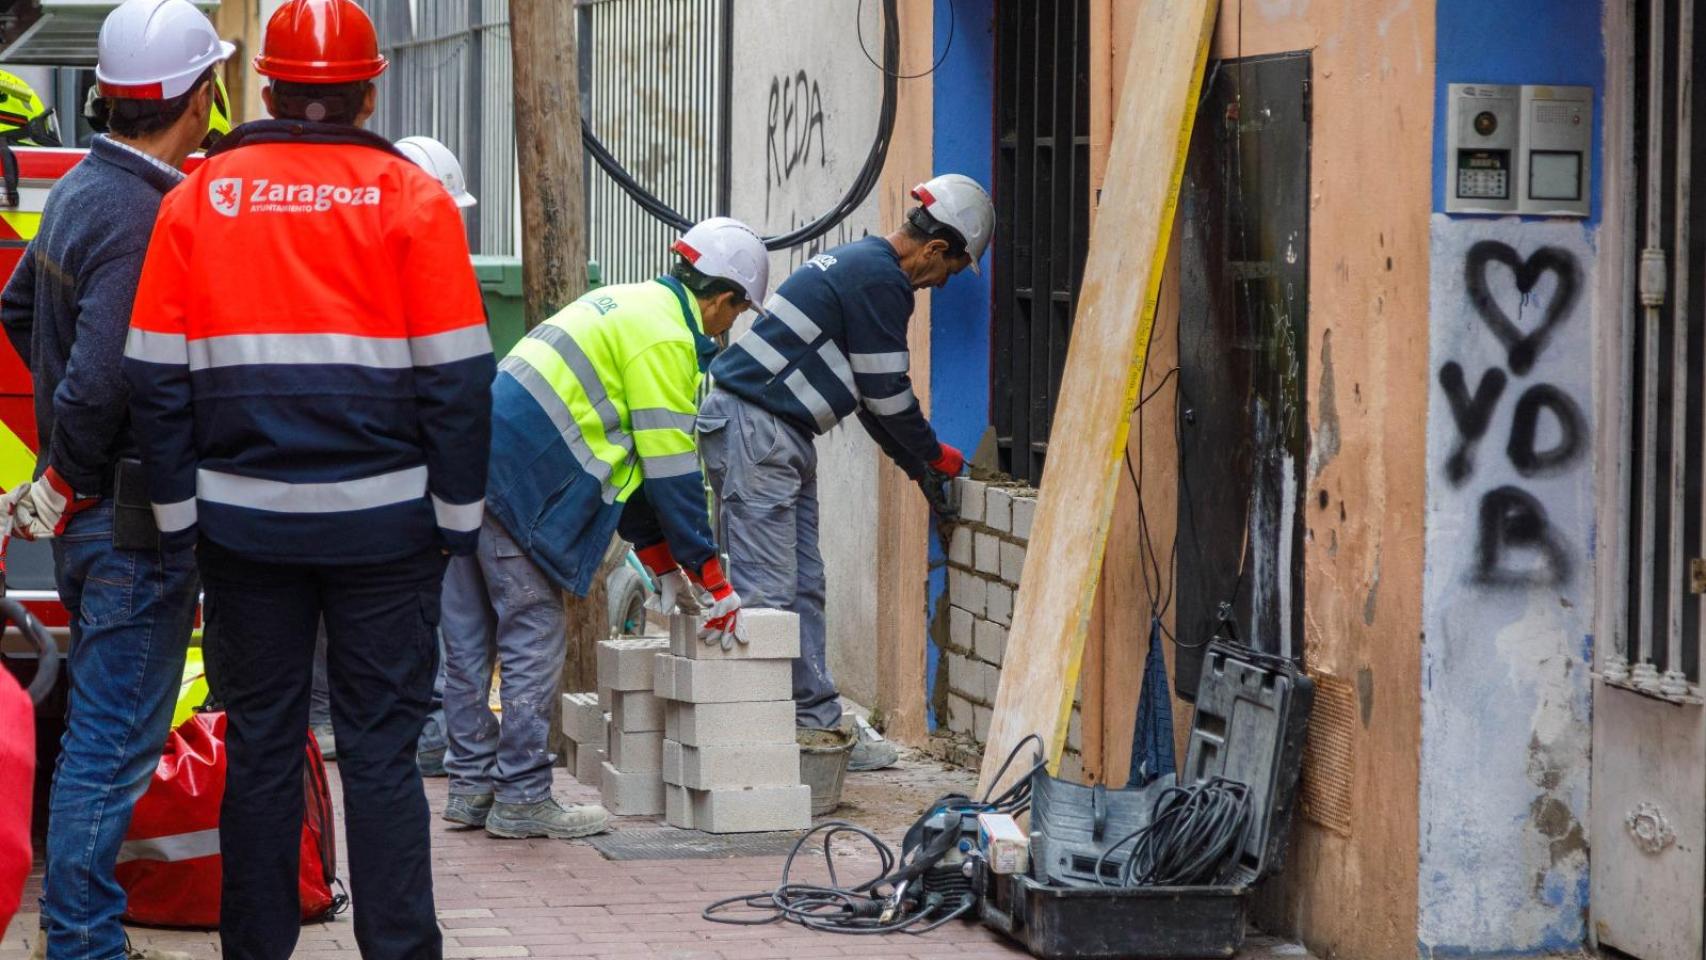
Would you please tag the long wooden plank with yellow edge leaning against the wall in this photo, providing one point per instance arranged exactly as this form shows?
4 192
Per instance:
1101 383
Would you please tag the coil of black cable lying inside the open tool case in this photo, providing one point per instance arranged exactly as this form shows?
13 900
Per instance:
1195 838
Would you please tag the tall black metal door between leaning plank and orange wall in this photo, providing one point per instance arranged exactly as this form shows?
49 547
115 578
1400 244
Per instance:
1243 342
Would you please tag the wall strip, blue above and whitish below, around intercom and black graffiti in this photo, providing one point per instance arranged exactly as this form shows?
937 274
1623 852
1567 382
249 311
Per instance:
1506 729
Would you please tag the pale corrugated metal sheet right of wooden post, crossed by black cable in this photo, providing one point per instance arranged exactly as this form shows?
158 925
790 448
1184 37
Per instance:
654 78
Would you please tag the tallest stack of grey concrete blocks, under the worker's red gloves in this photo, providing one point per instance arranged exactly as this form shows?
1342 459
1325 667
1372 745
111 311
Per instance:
731 758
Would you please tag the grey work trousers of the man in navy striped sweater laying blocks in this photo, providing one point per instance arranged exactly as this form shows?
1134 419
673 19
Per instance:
765 475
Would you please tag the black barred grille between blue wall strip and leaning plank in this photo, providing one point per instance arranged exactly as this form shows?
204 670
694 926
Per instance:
1043 216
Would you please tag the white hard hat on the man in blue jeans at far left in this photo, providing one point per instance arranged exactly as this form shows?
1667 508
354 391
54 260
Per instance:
154 50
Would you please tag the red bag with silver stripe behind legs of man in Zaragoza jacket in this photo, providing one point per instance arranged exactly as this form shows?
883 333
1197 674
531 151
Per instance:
170 865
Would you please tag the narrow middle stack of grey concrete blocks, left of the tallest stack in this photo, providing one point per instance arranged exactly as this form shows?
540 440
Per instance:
632 777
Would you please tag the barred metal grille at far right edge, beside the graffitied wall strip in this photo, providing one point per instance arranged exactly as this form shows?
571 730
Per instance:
1657 649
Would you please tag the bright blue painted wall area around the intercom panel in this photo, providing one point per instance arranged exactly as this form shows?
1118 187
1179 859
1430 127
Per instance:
1519 42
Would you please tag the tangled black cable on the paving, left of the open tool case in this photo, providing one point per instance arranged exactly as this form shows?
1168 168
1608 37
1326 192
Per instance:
886 903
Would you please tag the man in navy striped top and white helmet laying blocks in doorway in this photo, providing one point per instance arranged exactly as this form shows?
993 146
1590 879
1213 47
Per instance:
832 342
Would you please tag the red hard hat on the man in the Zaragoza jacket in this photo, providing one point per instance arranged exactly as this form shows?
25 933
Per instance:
320 42
